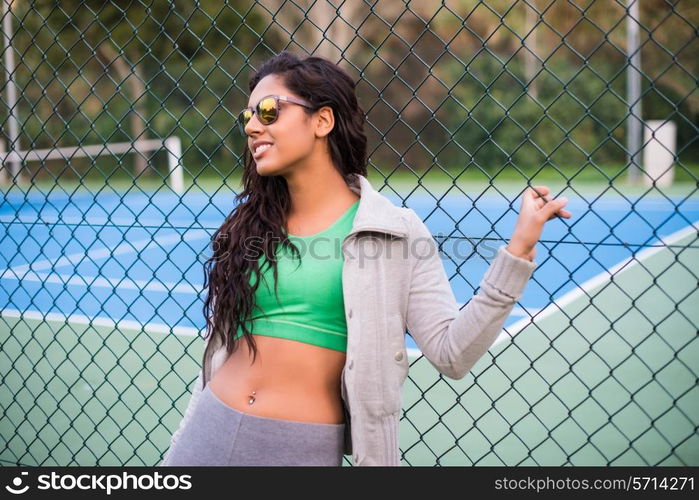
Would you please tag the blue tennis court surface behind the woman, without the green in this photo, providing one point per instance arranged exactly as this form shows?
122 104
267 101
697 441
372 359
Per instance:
138 258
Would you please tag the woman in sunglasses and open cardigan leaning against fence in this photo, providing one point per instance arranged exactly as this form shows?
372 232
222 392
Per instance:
319 275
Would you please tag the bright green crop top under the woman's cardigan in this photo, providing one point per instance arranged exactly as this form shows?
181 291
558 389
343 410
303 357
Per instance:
311 306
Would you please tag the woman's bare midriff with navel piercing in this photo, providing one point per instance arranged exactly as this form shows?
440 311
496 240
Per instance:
289 380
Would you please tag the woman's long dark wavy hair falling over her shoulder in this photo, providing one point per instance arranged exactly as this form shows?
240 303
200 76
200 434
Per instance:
263 204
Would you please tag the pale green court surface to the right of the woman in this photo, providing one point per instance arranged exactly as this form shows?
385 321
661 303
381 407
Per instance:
607 379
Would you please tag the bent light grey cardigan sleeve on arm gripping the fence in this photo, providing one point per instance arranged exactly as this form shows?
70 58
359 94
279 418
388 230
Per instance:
453 339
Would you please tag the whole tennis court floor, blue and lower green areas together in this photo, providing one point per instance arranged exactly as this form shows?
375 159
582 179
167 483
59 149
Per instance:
101 297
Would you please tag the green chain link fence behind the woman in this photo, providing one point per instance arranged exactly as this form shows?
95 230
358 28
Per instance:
121 158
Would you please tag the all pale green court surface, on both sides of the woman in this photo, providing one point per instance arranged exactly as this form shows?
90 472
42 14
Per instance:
606 378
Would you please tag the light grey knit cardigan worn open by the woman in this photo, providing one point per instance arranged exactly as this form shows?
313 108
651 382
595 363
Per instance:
393 278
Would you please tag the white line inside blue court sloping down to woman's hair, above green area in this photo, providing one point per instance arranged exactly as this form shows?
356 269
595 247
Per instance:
102 282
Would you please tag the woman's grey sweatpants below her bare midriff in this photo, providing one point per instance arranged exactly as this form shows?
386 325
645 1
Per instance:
220 435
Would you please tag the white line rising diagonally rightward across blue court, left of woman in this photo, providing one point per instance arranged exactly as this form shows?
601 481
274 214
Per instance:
104 252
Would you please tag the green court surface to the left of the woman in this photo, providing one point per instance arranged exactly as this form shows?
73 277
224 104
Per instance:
83 395
